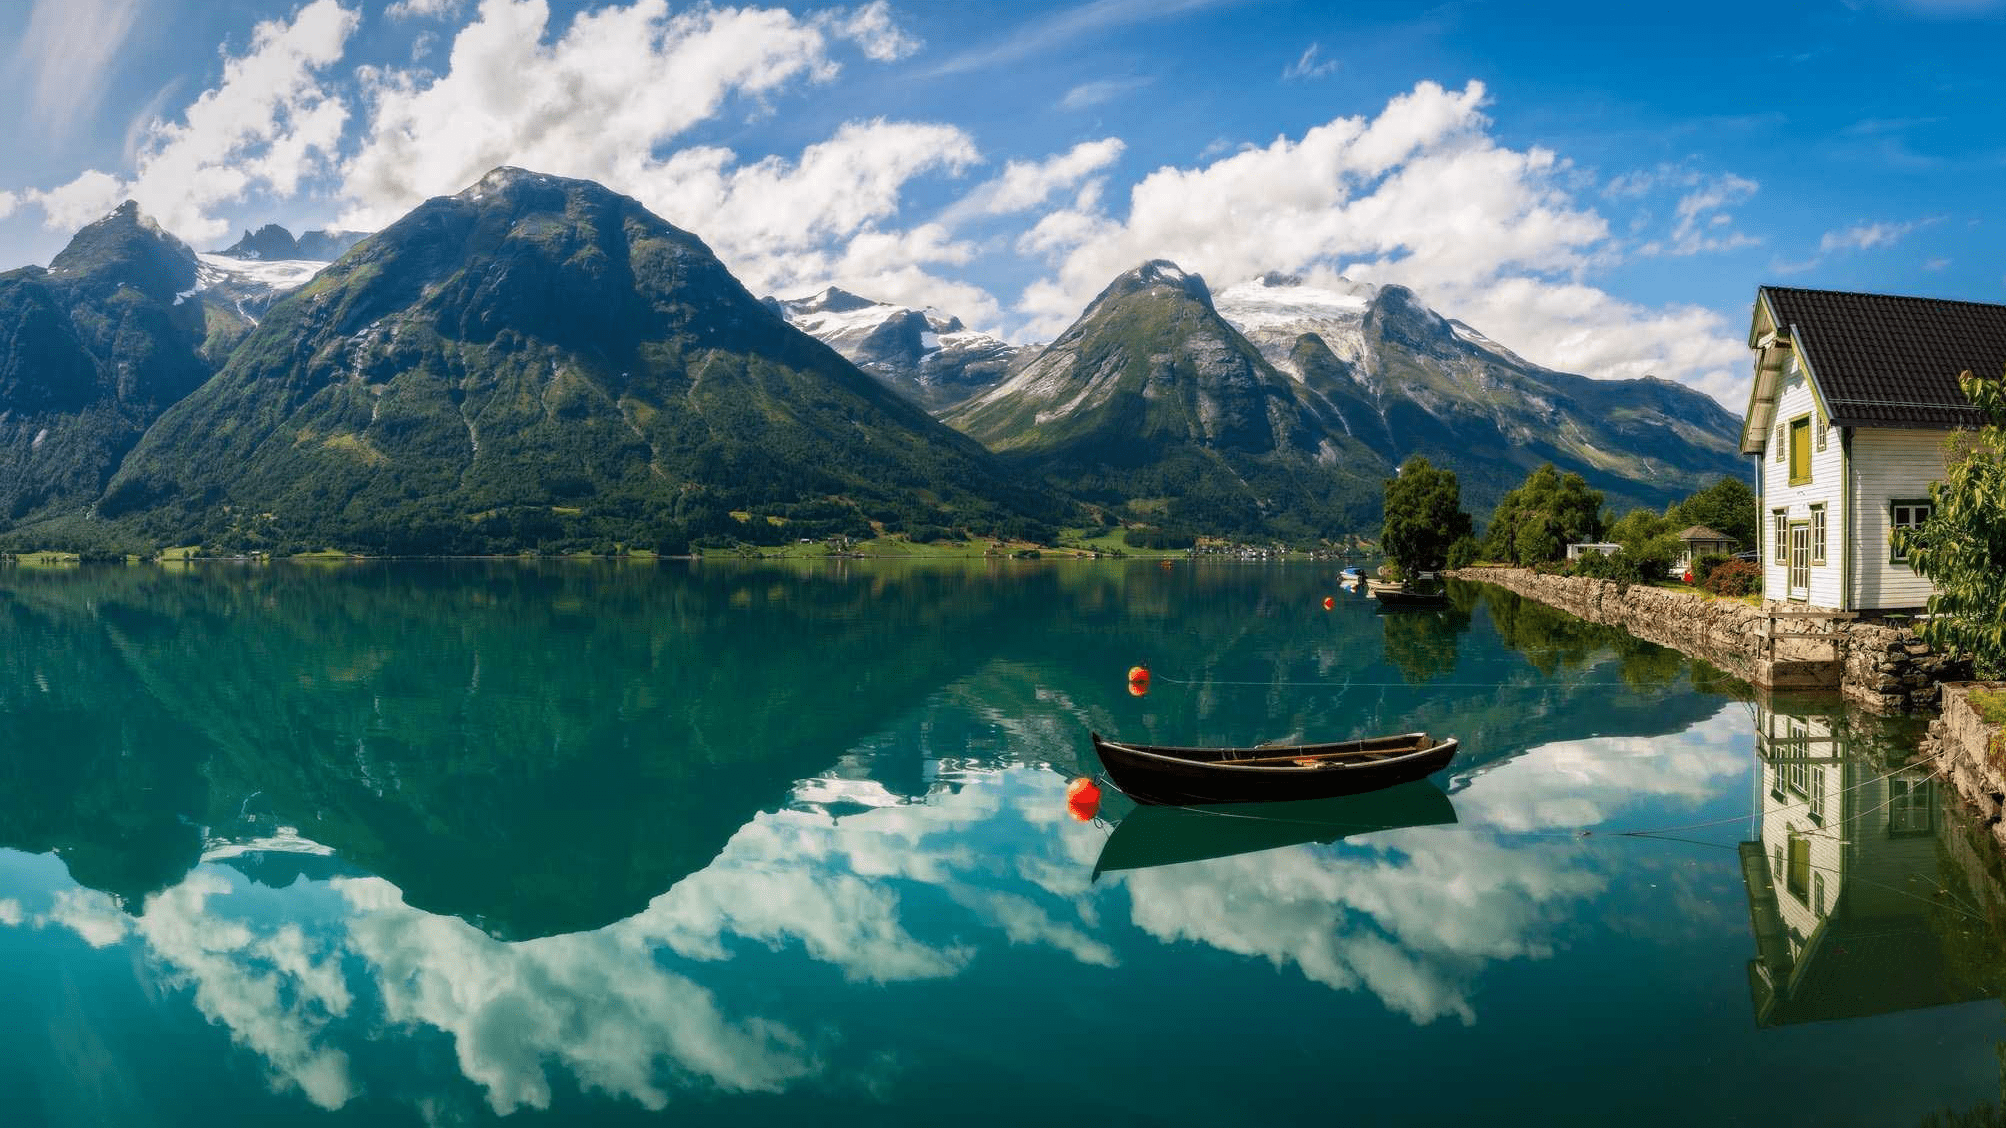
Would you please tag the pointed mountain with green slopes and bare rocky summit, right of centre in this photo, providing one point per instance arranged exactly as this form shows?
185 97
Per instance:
1156 406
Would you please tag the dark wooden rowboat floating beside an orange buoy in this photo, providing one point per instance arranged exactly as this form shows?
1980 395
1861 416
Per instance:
1269 774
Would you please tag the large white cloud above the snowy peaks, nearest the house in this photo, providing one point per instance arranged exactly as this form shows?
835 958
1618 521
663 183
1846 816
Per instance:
1419 196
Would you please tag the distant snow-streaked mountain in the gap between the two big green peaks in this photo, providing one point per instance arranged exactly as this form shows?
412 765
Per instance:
922 352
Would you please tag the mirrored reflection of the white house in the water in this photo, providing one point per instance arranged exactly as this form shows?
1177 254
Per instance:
1838 928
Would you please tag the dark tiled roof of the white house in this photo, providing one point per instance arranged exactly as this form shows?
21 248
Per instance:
1893 362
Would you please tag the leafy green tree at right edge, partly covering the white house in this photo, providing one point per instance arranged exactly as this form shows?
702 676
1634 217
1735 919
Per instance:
1963 547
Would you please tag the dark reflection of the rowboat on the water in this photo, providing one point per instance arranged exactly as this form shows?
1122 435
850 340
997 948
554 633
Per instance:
1173 836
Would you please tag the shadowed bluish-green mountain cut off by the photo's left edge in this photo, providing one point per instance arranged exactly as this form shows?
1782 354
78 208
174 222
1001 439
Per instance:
91 352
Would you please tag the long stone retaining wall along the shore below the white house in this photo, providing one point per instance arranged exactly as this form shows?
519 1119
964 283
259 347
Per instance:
1875 663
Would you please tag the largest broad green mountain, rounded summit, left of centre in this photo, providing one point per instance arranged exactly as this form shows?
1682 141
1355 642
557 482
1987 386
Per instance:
543 362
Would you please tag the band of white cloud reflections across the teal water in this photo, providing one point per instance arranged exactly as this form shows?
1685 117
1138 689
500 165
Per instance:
1409 916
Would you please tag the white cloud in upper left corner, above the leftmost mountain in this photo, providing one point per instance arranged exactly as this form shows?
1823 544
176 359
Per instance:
266 125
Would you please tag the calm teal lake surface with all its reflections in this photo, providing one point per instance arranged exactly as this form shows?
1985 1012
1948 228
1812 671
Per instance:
739 844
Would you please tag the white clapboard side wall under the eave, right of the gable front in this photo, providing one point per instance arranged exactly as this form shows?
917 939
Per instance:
1889 465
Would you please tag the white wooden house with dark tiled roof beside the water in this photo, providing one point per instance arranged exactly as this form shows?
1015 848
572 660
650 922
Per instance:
1853 404
